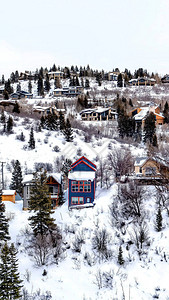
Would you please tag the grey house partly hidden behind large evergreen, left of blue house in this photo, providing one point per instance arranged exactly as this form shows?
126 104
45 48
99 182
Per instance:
54 182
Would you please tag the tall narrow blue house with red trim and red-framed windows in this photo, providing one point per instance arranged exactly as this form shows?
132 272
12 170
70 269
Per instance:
81 184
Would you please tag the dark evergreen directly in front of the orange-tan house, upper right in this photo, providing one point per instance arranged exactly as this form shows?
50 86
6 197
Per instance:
149 128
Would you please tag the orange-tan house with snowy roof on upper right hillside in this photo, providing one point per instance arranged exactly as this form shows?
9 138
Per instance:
139 114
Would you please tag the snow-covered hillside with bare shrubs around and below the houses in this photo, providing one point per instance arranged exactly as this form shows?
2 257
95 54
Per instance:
81 271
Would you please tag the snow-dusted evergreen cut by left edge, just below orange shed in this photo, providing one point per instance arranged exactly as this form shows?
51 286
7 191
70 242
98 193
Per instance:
4 227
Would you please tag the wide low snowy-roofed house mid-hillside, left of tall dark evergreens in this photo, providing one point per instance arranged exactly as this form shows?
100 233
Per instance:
98 114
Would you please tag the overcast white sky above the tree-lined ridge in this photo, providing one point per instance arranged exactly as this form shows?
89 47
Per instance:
104 34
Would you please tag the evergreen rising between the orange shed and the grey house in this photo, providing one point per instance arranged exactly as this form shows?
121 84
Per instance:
16 183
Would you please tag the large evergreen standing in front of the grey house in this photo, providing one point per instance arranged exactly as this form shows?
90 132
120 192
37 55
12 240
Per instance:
40 203
